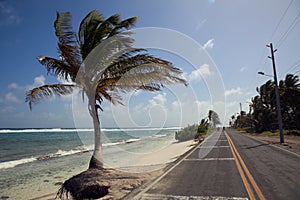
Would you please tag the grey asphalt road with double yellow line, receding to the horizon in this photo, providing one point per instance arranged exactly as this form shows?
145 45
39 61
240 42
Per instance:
229 165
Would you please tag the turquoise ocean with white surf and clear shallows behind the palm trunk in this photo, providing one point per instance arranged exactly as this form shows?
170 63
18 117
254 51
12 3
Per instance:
34 162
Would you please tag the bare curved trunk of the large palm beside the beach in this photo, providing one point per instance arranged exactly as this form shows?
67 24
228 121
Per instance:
96 161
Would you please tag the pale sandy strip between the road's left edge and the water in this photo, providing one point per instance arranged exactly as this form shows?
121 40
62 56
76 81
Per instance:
124 180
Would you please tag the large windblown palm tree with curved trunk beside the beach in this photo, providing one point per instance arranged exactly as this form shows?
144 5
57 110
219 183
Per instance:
100 61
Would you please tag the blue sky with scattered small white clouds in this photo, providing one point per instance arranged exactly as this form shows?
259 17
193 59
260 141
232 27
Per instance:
220 45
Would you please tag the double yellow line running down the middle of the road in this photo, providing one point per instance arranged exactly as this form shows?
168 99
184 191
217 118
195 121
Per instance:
244 172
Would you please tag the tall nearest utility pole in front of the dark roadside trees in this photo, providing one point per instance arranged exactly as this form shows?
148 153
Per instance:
277 94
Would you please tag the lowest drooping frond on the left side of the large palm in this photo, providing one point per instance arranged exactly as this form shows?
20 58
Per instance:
35 95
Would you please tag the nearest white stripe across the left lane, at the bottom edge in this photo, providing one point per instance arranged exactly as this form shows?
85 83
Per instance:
179 197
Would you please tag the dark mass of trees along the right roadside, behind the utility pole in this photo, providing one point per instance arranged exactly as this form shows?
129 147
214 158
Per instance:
262 116
